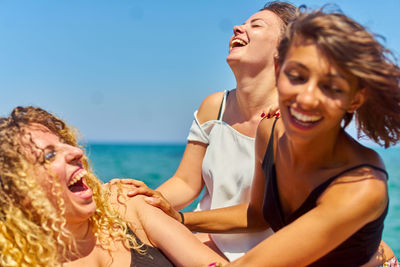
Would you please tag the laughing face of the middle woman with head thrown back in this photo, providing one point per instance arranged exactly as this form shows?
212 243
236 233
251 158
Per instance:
254 42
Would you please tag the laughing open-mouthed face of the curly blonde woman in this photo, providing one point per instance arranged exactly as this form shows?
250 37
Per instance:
64 162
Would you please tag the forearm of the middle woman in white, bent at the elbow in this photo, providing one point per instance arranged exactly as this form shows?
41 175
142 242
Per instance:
179 193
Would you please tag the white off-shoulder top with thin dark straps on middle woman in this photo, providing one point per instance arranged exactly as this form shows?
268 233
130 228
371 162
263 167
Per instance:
227 170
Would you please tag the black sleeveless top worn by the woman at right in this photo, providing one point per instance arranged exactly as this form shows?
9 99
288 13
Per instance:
354 251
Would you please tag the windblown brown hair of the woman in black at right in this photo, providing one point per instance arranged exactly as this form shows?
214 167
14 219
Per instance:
357 52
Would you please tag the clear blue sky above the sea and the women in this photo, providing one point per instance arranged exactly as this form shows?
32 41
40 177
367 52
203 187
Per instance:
133 71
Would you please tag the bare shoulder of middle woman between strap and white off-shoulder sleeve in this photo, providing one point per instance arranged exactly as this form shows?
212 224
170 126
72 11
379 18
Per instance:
209 108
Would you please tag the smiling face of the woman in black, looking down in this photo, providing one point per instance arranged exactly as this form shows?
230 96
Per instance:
314 95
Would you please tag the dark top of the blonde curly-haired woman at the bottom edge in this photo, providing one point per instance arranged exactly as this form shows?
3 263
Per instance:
151 257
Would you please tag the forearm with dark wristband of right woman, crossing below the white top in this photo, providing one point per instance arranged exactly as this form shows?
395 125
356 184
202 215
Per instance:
234 219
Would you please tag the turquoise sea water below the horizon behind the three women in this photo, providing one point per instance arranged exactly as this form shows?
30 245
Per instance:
155 163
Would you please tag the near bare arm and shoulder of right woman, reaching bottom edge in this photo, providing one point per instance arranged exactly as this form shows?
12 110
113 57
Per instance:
341 211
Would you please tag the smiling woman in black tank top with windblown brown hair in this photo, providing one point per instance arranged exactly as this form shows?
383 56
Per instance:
324 194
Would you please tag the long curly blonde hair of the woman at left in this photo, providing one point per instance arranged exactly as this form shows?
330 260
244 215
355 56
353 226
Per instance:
32 227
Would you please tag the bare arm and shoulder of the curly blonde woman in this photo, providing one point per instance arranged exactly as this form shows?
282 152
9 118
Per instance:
165 233
